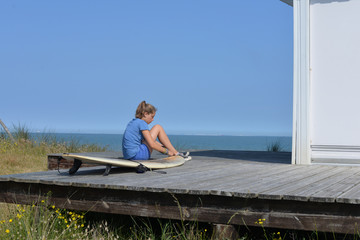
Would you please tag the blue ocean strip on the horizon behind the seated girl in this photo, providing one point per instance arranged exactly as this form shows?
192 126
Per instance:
185 142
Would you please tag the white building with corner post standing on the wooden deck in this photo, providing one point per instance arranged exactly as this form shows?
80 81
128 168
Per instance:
326 120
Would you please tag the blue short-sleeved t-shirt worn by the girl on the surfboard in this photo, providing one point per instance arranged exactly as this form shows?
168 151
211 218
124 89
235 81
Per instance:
133 137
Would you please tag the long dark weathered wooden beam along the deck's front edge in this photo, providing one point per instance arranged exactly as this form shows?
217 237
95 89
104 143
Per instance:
297 215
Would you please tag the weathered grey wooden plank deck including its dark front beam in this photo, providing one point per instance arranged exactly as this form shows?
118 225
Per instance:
226 187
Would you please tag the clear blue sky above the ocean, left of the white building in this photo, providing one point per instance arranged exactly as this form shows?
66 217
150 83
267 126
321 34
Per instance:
209 66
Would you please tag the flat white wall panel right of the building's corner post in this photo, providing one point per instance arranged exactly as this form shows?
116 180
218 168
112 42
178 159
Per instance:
335 80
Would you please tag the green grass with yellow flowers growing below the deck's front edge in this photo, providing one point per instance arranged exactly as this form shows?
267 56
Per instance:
43 220
